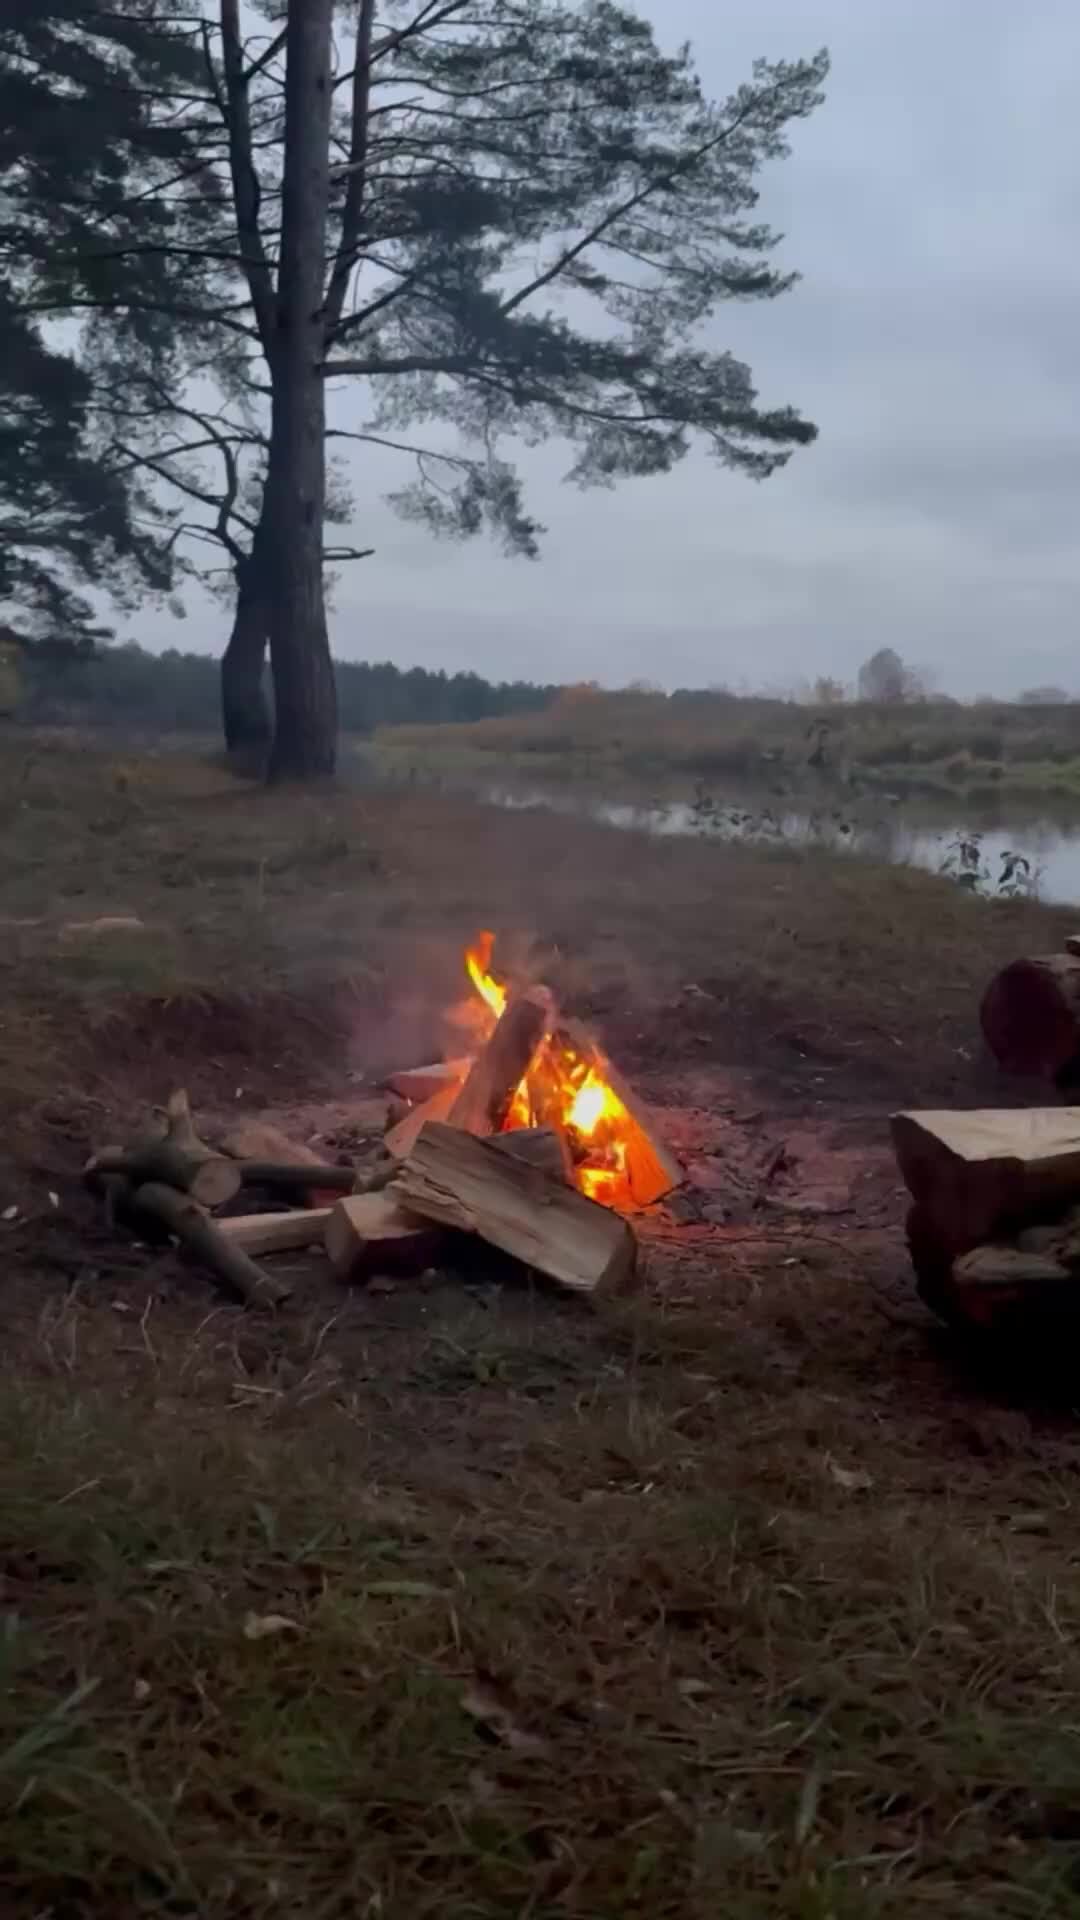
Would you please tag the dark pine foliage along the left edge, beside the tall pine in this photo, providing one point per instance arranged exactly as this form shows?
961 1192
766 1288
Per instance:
87 229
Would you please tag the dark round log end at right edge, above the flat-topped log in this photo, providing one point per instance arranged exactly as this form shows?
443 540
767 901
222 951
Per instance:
1031 1017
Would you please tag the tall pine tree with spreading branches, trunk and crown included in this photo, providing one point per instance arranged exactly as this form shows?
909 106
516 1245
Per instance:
508 218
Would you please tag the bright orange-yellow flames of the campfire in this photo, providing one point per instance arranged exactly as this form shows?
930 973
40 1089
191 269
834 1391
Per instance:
566 1092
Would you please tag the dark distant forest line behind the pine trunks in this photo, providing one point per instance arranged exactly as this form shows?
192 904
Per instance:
174 692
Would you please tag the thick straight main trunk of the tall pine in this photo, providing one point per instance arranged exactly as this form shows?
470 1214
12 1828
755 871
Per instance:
307 721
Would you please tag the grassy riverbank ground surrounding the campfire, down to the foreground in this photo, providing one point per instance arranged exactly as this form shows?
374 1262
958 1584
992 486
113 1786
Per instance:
468 1602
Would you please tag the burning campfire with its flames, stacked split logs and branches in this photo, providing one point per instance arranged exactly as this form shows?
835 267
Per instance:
531 1143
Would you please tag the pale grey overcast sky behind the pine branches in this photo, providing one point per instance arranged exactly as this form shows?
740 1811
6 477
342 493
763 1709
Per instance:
933 208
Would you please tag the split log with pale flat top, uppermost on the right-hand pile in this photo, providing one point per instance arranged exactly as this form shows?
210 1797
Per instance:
981 1176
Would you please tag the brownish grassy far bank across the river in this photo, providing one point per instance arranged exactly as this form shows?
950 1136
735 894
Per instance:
935 748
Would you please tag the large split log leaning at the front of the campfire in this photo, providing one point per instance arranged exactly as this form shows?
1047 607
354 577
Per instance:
464 1182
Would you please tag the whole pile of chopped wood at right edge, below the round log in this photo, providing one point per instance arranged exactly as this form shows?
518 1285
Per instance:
994 1228
